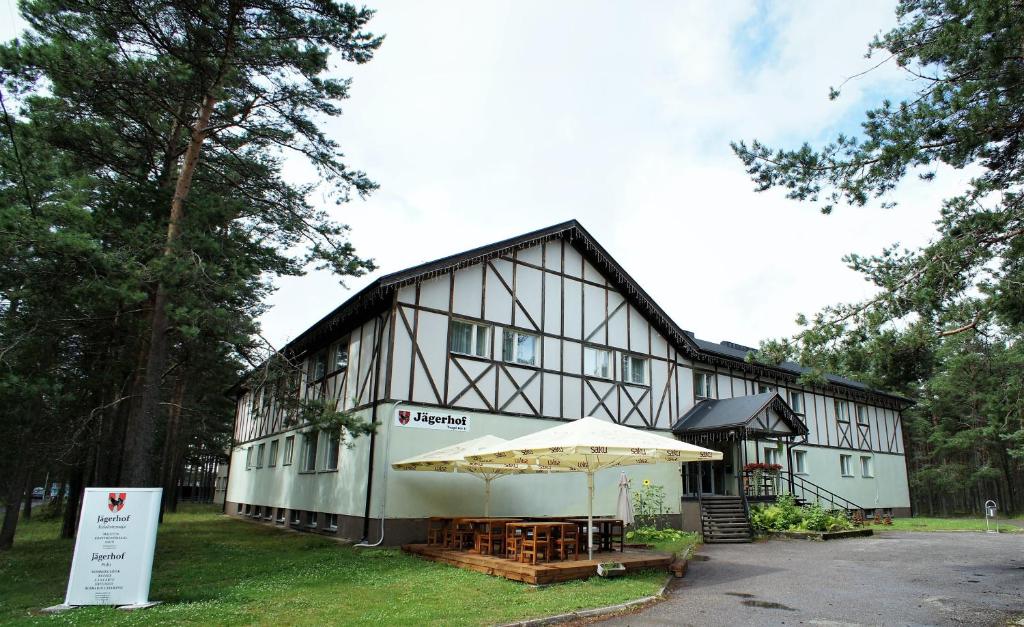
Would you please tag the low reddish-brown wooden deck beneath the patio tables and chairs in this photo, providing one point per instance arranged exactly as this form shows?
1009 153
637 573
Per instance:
549 572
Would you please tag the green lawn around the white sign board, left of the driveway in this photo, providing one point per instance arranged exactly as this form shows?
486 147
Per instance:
214 570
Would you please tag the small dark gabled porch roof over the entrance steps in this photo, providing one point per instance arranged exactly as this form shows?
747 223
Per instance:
753 413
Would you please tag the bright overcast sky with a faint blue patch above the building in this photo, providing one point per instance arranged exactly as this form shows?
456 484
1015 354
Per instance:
485 120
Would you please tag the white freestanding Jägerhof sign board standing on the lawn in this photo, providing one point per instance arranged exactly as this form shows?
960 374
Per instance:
117 535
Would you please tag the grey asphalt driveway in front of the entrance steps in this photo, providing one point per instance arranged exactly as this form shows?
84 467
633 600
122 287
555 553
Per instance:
892 579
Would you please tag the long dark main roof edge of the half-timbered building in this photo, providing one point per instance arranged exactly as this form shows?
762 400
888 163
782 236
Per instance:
377 297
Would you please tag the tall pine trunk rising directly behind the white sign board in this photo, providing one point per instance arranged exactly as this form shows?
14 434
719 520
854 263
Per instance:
139 463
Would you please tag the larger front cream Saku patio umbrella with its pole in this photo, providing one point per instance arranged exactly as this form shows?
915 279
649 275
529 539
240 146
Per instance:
589 445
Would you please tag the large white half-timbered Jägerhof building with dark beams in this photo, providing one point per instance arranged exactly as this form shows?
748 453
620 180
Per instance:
511 339
